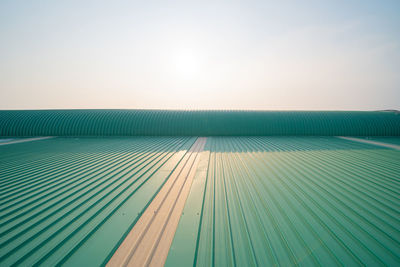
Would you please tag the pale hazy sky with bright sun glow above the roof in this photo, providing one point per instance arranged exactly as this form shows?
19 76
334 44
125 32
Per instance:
258 55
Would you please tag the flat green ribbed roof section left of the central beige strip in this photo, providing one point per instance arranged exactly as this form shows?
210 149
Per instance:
73 200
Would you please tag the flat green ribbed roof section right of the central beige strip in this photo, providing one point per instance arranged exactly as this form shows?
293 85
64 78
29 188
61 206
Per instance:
291 200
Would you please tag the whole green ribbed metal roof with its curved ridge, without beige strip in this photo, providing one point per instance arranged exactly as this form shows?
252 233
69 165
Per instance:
254 200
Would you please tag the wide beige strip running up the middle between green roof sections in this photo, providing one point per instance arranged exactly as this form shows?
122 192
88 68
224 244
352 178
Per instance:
149 241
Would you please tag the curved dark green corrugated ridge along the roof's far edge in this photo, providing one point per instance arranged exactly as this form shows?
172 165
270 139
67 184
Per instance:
196 123
